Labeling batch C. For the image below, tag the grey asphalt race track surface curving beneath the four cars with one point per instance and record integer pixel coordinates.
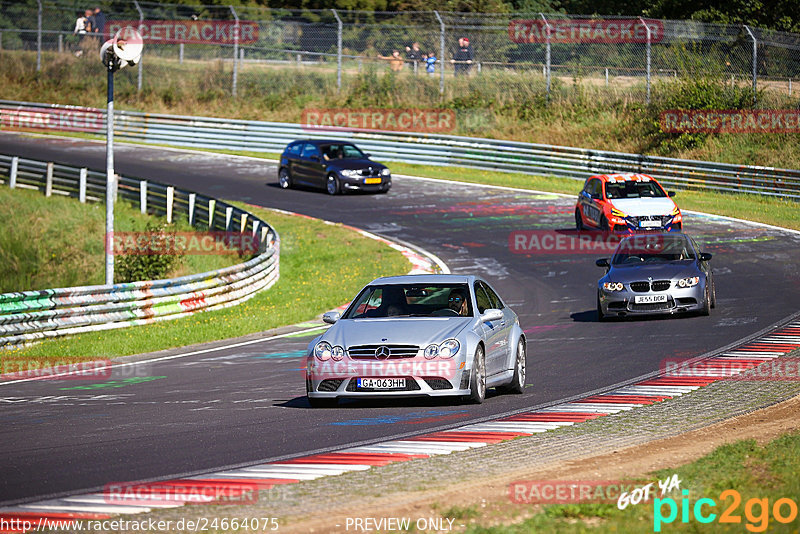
(247, 404)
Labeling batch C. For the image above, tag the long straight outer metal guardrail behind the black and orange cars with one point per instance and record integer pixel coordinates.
(428, 149)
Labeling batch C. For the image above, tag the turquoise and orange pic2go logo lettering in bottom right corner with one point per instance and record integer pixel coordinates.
(756, 511)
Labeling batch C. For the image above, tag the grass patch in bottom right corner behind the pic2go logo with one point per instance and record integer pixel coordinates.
(769, 472)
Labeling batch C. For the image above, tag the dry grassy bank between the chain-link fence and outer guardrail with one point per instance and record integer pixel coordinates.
(497, 104)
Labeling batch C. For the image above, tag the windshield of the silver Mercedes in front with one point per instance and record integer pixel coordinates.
(404, 301)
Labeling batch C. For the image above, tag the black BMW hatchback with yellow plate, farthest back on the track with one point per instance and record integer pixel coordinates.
(336, 166)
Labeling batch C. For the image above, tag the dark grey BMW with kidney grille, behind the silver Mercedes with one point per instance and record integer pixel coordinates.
(660, 273)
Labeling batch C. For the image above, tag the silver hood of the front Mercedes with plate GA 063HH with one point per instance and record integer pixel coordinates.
(389, 331)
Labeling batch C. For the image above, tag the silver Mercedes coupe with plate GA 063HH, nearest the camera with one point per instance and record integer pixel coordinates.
(418, 335)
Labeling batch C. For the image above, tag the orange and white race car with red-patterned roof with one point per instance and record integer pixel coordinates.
(626, 203)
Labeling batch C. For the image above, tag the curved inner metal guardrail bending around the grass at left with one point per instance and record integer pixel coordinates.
(32, 315)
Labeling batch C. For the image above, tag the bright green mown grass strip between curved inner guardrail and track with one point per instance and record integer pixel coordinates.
(322, 266)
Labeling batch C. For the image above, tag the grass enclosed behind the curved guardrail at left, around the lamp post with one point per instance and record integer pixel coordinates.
(59, 242)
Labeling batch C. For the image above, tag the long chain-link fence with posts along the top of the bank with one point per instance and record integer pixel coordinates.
(247, 51)
